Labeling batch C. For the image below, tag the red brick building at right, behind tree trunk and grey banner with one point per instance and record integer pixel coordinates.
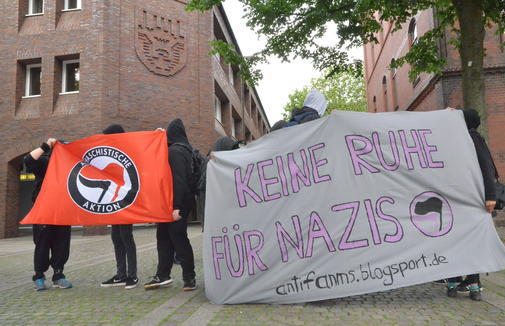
(390, 89)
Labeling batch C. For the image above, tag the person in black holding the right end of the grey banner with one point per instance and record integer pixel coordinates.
(489, 174)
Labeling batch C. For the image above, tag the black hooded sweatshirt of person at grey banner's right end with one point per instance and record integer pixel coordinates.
(484, 157)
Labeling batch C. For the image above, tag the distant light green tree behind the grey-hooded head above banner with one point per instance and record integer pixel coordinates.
(343, 90)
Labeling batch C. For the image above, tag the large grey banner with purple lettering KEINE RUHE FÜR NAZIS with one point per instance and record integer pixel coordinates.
(344, 205)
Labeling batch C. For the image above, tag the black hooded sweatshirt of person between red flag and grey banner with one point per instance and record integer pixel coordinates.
(179, 157)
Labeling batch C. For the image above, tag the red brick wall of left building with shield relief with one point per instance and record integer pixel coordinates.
(115, 86)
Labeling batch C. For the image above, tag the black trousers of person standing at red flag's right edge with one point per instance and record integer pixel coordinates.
(173, 236)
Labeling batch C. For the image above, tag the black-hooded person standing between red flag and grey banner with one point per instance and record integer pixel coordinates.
(173, 236)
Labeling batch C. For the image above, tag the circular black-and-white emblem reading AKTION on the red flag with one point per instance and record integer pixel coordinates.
(104, 182)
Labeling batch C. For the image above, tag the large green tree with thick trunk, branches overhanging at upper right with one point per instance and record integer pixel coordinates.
(292, 27)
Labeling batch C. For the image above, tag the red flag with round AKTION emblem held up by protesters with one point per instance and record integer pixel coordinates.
(106, 179)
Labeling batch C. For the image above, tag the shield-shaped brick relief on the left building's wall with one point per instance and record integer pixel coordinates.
(159, 43)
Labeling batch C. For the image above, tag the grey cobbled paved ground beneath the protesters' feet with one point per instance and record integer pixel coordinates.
(92, 261)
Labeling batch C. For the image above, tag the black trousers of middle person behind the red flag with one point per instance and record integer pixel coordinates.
(125, 250)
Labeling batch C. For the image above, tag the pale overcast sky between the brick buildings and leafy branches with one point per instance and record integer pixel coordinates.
(279, 79)
